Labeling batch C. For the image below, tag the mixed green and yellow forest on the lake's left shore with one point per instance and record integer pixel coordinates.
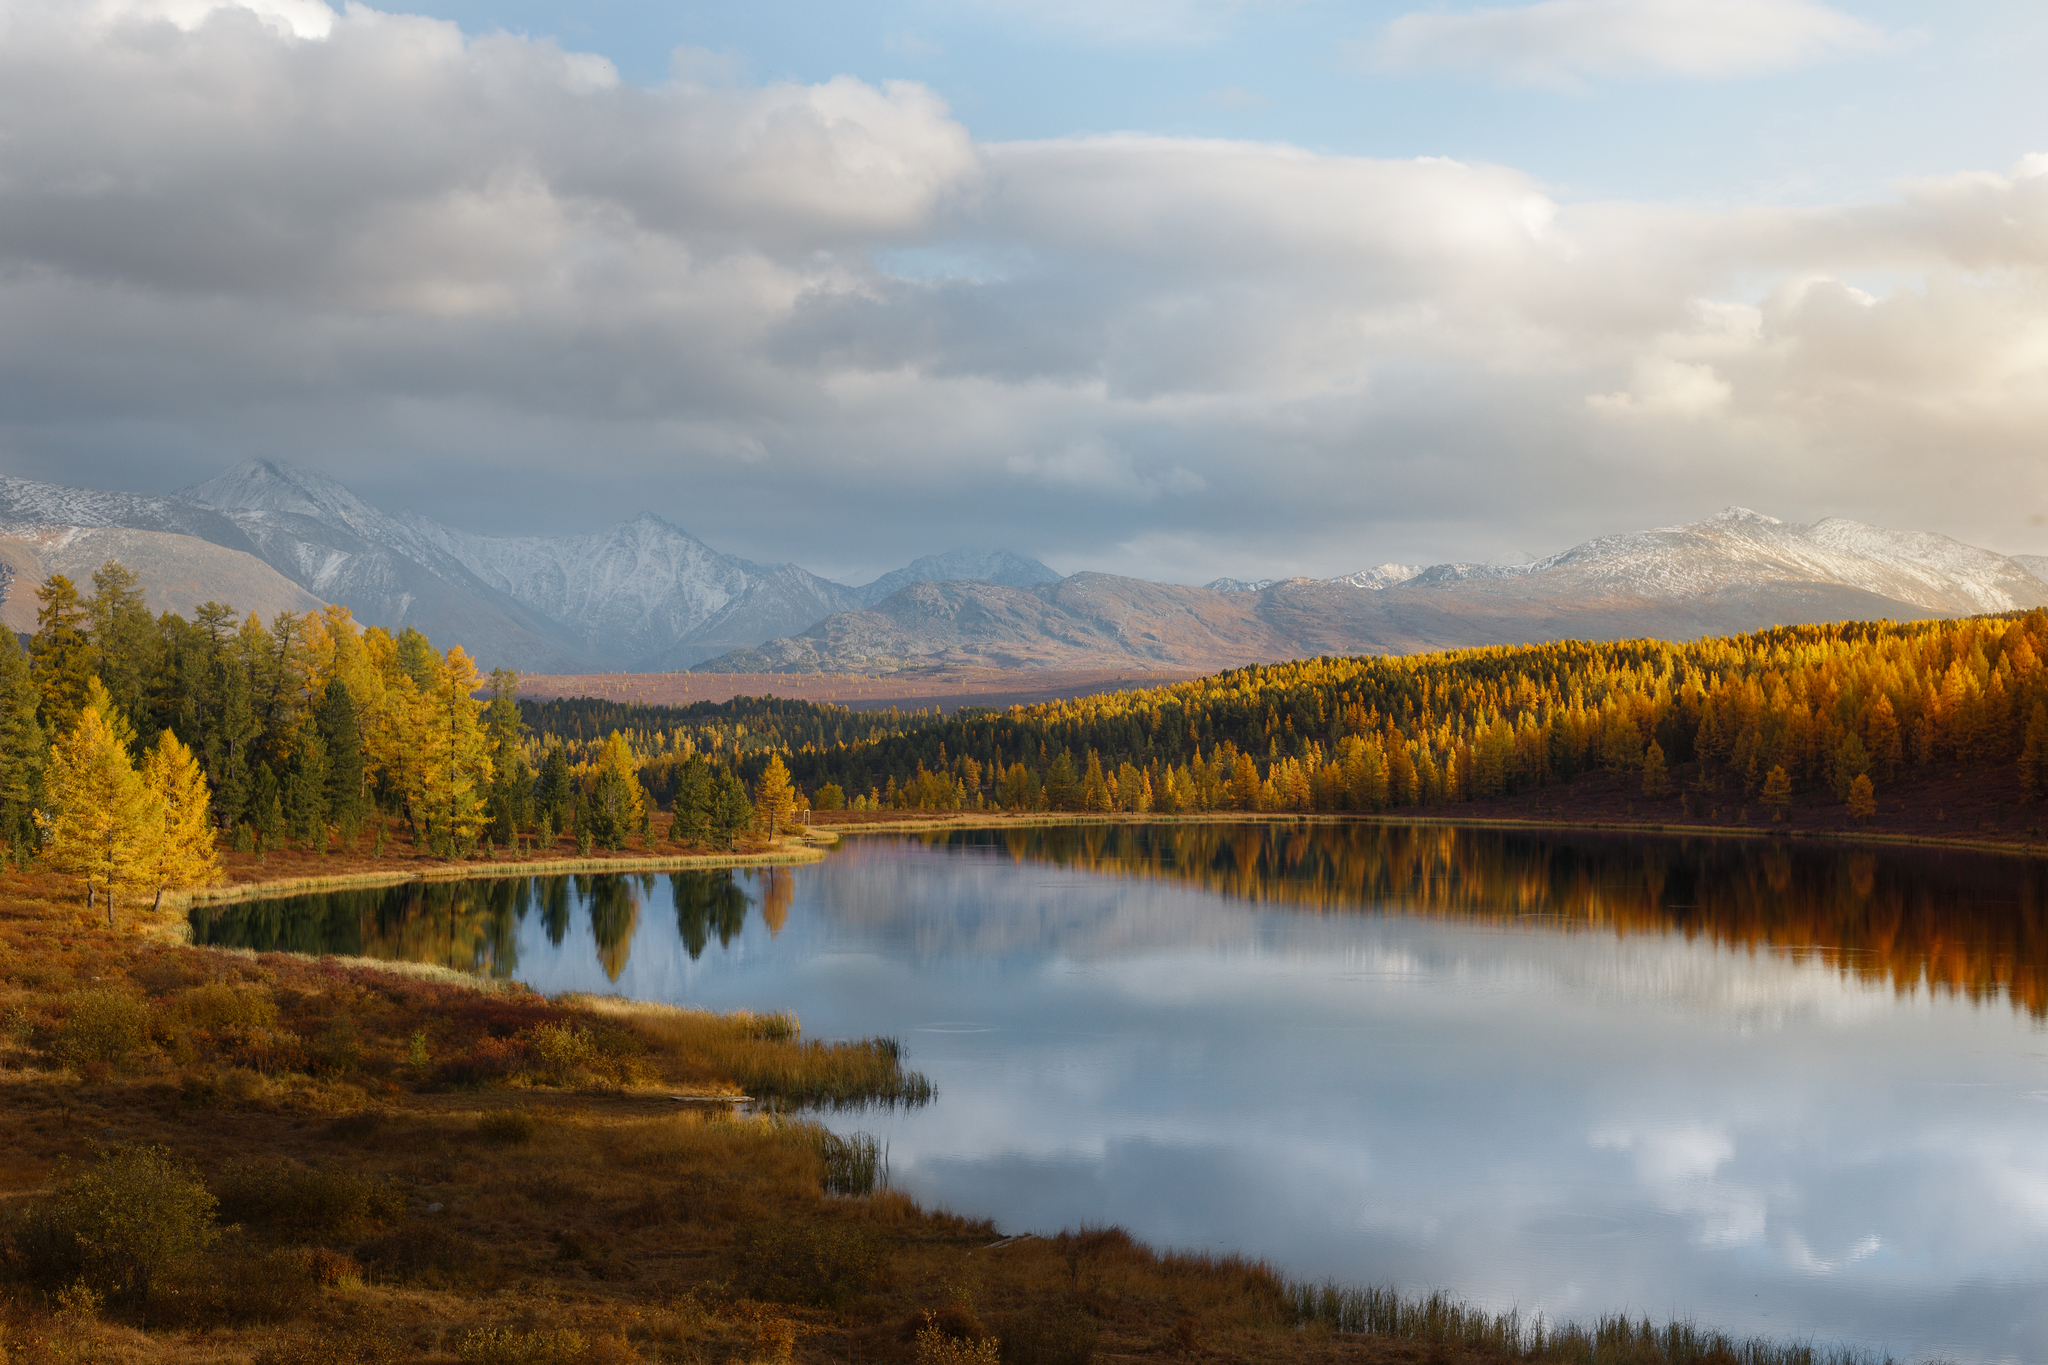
(134, 744)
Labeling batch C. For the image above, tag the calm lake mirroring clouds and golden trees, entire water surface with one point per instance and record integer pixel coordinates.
(1766, 1086)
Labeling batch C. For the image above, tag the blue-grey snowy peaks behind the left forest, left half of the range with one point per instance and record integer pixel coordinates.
(642, 597)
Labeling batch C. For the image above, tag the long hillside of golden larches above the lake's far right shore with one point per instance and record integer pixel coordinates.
(1842, 711)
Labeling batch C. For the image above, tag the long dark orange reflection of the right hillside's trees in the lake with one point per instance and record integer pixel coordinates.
(1961, 922)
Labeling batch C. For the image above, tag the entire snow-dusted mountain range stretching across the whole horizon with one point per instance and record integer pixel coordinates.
(648, 597)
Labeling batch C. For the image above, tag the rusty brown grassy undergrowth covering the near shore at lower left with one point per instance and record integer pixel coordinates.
(214, 1157)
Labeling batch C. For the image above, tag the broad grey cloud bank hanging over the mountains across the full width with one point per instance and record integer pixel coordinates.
(490, 279)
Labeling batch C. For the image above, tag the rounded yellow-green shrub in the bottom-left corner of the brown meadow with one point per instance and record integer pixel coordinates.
(132, 1217)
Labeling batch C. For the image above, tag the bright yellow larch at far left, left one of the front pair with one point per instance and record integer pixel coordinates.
(103, 824)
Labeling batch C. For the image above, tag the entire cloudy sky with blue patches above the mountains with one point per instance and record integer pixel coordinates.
(1160, 288)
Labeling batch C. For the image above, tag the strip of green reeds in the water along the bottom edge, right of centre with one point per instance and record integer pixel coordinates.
(1615, 1339)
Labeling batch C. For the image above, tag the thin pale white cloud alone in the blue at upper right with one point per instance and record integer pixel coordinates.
(1562, 44)
